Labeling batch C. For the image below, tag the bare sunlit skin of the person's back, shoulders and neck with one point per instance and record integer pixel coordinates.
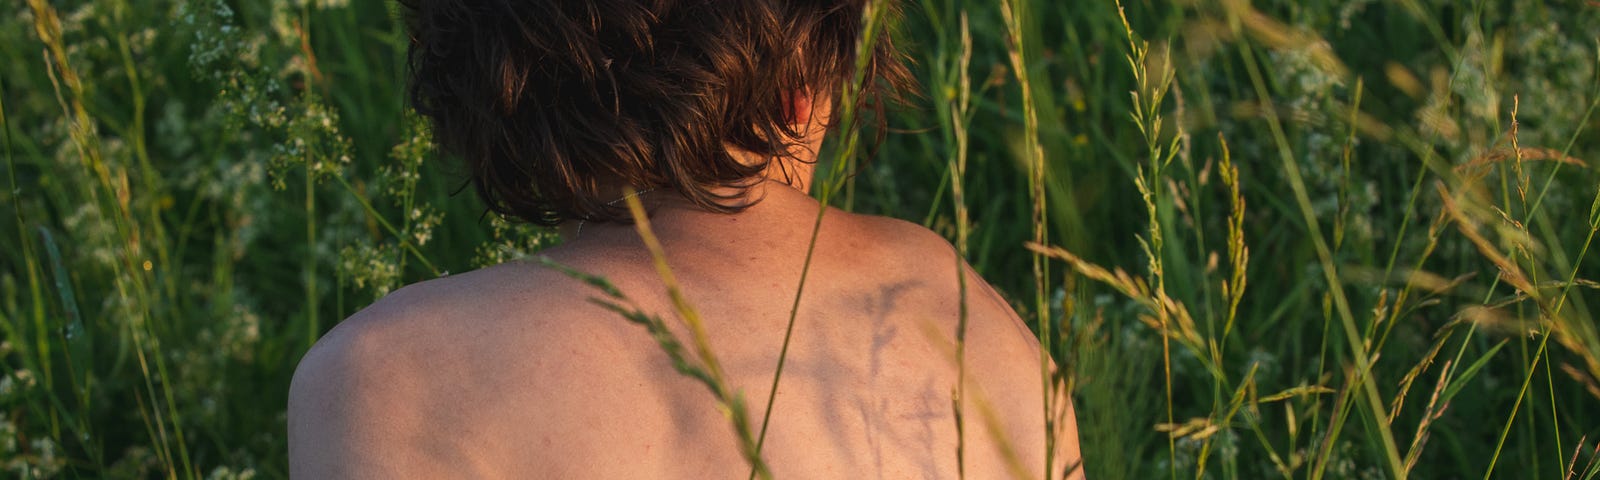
(511, 374)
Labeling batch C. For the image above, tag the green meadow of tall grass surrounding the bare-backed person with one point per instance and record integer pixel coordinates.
(1265, 239)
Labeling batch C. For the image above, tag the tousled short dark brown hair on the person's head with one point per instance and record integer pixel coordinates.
(550, 102)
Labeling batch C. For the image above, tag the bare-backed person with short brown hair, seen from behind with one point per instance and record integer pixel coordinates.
(711, 114)
